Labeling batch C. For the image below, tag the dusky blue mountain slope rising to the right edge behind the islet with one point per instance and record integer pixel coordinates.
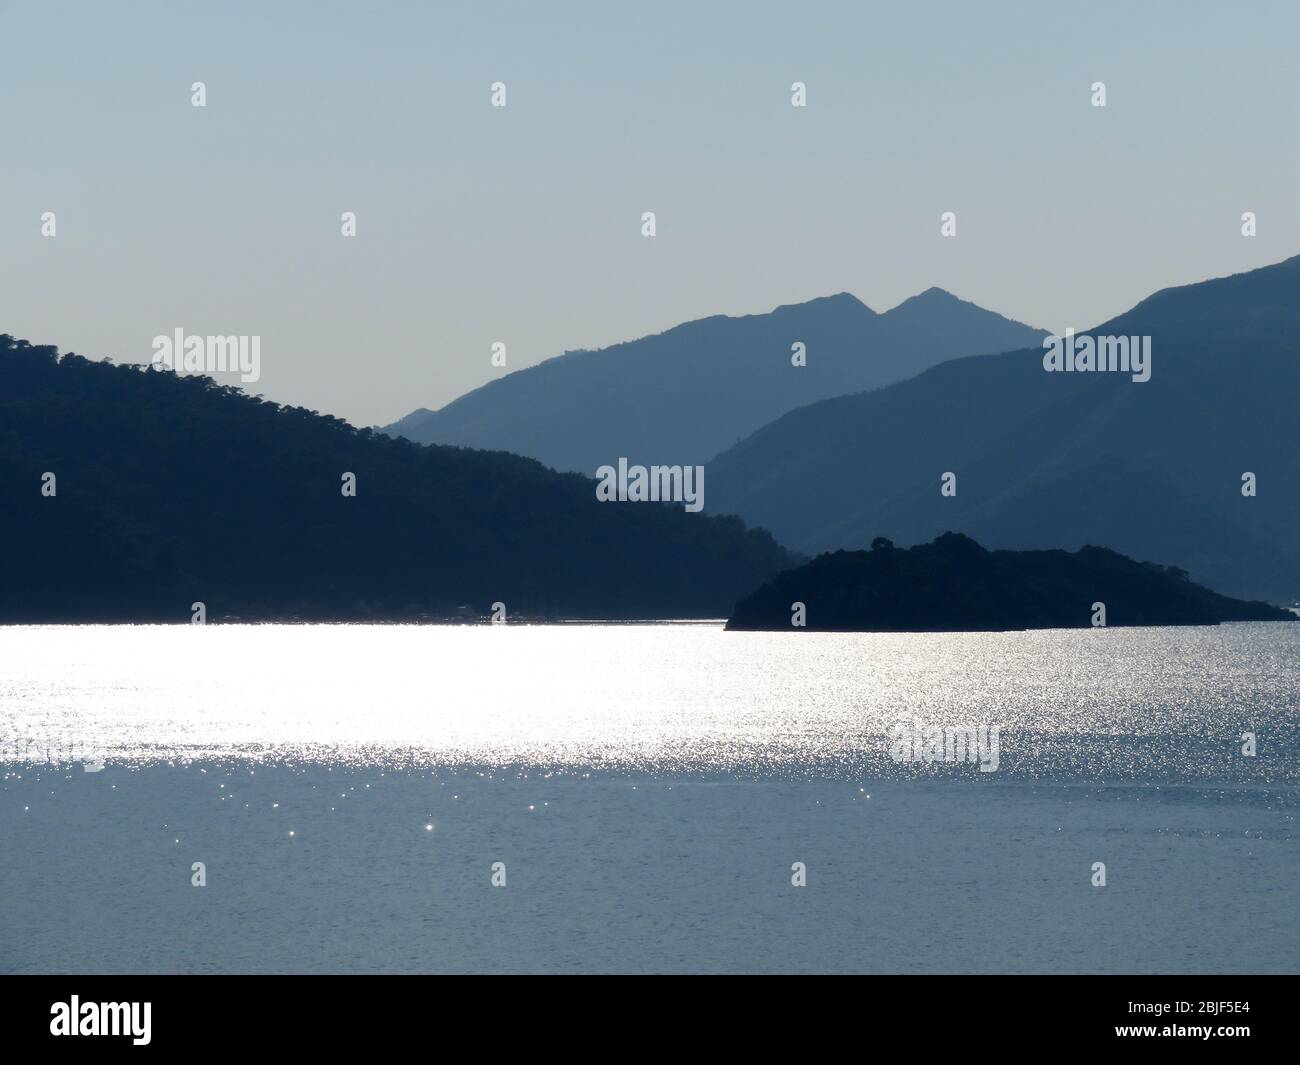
(1154, 470)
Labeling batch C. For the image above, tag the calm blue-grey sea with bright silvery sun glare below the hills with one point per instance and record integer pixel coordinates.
(648, 791)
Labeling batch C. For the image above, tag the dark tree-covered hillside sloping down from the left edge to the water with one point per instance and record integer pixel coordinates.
(171, 491)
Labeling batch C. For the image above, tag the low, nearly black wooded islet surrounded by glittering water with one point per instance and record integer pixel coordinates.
(957, 586)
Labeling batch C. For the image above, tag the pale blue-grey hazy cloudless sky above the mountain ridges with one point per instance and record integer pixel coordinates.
(480, 224)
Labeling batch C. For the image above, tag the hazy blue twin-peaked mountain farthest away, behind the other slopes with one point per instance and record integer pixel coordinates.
(683, 396)
